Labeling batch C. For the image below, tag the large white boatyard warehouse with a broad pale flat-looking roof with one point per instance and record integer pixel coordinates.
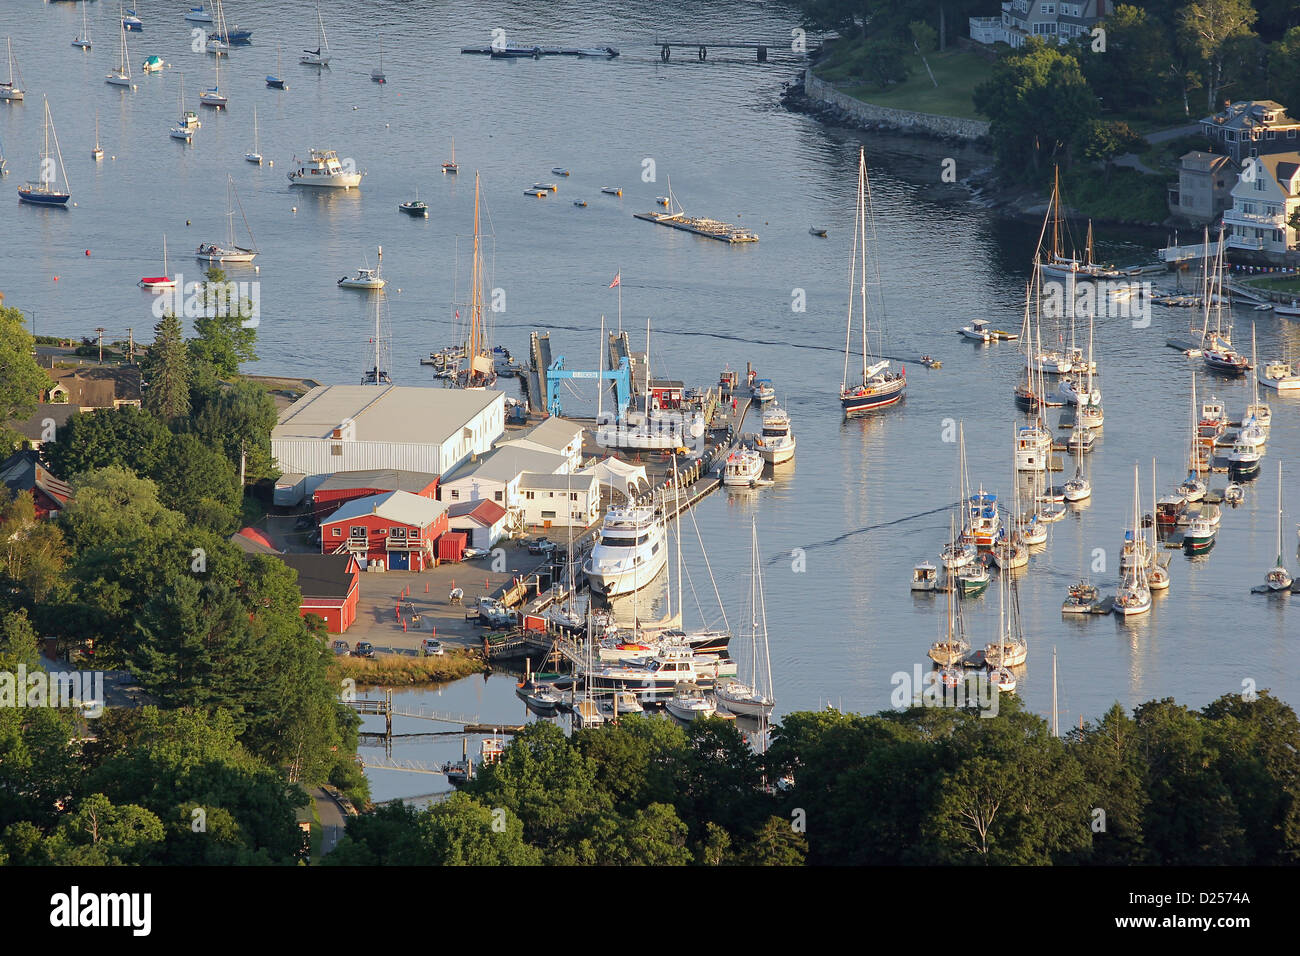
(339, 429)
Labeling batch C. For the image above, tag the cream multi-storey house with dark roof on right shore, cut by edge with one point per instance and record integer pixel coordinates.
(1266, 196)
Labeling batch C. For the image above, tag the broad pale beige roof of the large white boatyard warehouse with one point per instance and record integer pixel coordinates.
(387, 413)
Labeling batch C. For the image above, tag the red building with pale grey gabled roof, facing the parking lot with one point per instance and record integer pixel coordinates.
(395, 531)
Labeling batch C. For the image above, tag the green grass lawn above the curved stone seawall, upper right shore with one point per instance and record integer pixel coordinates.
(957, 73)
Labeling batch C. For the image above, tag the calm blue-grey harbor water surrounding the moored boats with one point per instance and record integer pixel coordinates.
(857, 499)
